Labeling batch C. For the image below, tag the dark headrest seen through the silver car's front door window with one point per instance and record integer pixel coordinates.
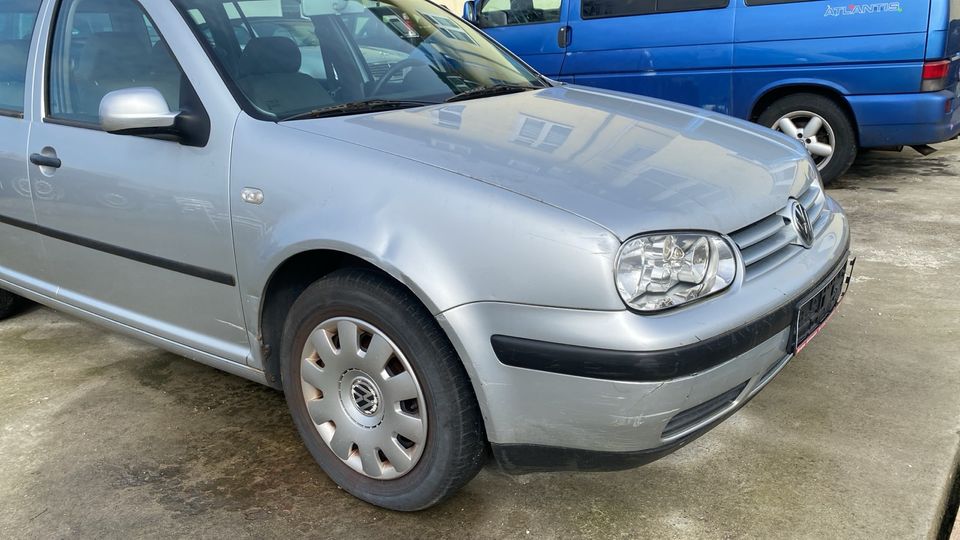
(112, 55)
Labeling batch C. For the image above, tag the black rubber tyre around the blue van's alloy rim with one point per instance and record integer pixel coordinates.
(845, 138)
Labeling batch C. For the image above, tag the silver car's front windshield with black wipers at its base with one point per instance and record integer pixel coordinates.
(293, 59)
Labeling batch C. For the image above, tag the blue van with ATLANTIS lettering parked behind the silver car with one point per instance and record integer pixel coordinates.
(837, 76)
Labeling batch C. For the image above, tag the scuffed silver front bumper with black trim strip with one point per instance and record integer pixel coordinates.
(548, 417)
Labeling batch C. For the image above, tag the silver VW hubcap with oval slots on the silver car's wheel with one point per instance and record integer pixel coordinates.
(364, 398)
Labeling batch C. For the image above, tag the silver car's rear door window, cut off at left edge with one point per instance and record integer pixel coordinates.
(17, 19)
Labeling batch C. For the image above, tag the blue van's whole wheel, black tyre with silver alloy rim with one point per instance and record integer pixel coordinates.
(821, 125)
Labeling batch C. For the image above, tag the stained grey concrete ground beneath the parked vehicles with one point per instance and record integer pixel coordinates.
(101, 436)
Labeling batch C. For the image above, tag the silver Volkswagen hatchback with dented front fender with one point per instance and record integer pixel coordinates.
(435, 260)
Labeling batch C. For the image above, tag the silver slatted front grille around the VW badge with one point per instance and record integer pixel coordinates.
(771, 241)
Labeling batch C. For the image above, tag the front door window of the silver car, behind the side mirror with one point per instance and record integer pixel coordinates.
(104, 45)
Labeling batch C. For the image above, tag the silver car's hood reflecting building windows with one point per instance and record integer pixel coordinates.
(628, 163)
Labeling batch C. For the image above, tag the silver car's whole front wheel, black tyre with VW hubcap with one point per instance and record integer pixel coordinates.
(381, 399)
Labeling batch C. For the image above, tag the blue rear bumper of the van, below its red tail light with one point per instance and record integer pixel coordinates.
(907, 119)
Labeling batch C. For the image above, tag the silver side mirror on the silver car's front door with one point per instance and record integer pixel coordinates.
(136, 110)
